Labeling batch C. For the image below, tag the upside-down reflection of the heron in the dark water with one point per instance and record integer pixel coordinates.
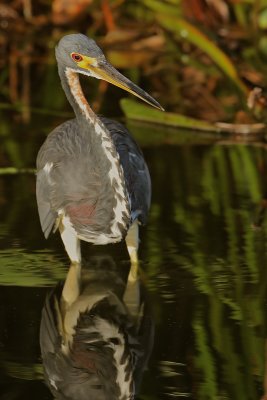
(96, 333)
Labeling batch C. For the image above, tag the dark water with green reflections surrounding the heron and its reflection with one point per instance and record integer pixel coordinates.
(202, 263)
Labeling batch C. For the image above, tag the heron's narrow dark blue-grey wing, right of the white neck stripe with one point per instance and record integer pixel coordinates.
(136, 173)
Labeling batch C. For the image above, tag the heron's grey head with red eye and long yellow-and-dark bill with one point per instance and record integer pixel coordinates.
(82, 55)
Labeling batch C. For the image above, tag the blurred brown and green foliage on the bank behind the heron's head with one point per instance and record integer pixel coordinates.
(199, 58)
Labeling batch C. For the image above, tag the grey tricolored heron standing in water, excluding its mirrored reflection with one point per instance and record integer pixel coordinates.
(92, 181)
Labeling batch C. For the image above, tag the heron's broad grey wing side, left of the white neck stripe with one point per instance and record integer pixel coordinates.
(72, 179)
